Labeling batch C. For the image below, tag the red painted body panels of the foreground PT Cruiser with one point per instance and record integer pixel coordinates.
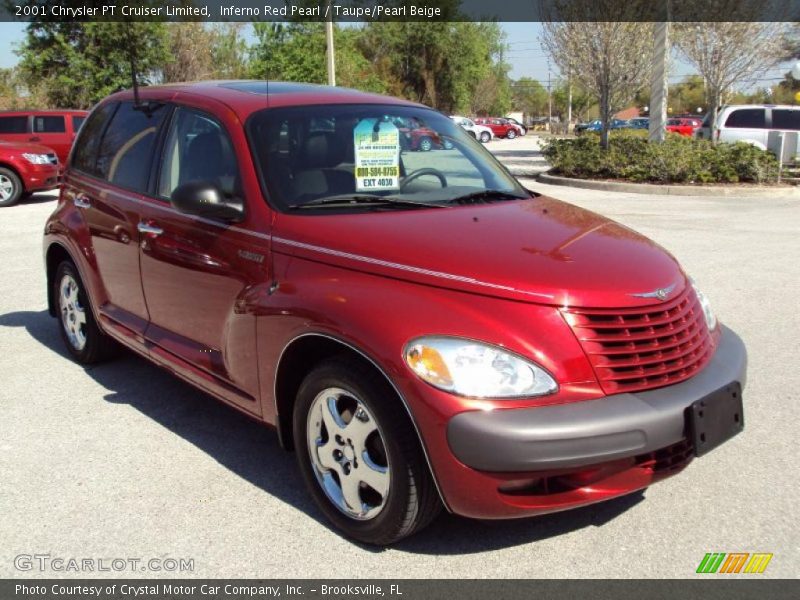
(220, 305)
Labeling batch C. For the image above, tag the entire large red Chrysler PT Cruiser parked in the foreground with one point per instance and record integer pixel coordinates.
(422, 330)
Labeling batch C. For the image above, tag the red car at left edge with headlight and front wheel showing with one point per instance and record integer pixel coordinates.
(24, 169)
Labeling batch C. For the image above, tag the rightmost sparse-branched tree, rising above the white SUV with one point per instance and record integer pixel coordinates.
(727, 54)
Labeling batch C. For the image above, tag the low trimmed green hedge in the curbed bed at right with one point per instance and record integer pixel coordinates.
(678, 160)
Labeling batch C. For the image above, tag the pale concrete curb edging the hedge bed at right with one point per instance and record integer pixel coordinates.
(671, 190)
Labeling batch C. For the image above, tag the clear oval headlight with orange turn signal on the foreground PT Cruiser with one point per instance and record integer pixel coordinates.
(474, 369)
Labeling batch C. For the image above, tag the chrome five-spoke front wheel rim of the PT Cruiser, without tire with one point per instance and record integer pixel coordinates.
(347, 454)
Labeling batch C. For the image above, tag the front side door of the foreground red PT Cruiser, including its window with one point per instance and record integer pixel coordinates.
(196, 271)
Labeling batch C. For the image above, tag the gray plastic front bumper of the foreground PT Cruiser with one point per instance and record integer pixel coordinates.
(593, 431)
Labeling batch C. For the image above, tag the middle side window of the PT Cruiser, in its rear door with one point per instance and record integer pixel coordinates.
(126, 150)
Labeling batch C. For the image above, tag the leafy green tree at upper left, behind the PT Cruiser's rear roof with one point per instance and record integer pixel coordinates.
(76, 64)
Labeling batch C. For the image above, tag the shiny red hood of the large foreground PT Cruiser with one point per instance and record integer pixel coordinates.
(540, 250)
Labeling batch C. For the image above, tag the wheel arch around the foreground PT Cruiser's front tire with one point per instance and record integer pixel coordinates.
(298, 357)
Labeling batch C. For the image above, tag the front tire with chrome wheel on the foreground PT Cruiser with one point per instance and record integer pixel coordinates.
(383, 447)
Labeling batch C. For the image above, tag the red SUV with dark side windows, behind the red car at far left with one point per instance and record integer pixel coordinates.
(55, 129)
